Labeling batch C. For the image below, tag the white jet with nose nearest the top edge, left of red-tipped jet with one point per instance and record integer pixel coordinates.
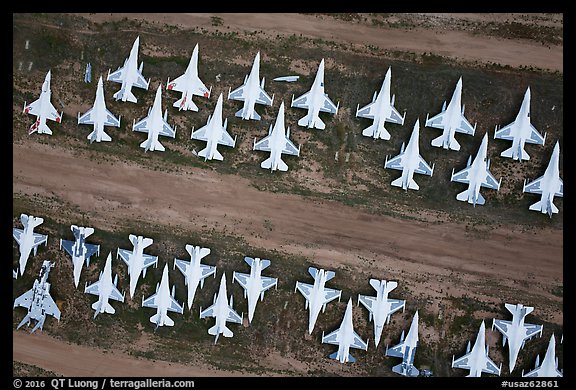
(129, 75)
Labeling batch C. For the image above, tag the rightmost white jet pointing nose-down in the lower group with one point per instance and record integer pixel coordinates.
(516, 331)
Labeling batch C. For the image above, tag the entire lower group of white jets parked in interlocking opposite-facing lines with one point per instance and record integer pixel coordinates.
(380, 307)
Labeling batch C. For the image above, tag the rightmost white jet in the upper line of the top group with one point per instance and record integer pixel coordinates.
(519, 132)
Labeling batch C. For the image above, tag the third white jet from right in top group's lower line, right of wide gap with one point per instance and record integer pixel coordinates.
(409, 161)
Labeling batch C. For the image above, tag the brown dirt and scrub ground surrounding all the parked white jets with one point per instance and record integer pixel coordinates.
(454, 263)
